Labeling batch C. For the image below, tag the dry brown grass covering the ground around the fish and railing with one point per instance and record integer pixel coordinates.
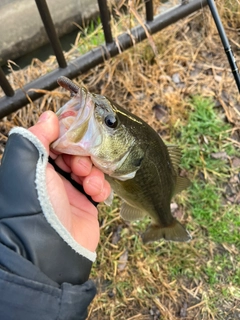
(164, 280)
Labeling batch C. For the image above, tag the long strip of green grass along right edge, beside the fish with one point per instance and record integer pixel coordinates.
(206, 134)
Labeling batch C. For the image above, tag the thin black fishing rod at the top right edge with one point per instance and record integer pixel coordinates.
(225, 42)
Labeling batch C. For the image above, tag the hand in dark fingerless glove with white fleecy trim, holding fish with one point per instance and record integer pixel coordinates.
(48, 203)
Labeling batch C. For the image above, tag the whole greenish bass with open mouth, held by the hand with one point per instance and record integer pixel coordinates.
(141, 169)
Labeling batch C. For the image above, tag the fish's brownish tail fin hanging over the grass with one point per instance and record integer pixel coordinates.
(174, 232)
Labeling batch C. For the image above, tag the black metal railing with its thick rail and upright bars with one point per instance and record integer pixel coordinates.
(14, 100)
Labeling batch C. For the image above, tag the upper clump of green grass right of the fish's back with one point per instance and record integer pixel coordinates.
(204, 135)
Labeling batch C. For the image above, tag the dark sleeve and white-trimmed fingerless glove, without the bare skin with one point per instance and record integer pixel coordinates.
(41, 275)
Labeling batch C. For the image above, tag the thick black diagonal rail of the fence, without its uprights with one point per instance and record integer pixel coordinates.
(96, 56)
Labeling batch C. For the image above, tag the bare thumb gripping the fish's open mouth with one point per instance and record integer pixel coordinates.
(46, 129)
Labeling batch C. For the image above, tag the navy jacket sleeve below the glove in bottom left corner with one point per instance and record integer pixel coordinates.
(28, 294)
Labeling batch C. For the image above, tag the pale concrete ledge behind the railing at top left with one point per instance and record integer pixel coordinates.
(22, 30)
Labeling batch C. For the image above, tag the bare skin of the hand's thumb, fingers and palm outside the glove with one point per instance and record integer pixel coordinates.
(76, 213)
